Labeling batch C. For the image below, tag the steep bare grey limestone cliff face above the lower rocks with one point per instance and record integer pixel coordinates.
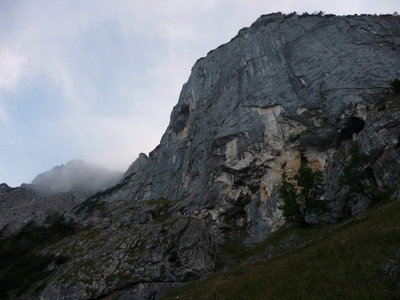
(282, 88)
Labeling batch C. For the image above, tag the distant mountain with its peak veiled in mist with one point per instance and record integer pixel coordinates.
(55, 191)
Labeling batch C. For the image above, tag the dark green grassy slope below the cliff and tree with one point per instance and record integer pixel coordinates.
(344, 261)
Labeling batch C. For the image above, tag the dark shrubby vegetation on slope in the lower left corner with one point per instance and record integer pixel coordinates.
(21, 263)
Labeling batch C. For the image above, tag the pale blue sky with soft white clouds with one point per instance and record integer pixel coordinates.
(97, 79)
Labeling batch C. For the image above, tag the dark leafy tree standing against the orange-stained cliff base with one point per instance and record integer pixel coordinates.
(301, 194)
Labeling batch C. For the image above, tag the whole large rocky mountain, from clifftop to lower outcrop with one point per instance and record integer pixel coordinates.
(285, 90)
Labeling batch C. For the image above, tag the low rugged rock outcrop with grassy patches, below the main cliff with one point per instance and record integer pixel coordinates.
(149, 251)
